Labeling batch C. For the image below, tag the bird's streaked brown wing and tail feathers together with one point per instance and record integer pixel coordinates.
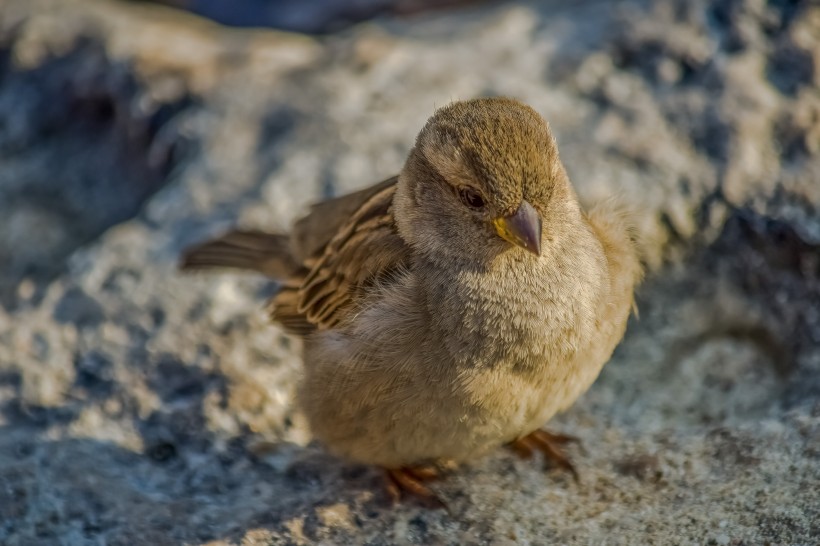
(333, 253)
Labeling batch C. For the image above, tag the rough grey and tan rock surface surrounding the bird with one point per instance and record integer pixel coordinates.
(140, 406)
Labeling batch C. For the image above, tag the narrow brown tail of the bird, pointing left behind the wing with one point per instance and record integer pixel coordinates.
(267, 253)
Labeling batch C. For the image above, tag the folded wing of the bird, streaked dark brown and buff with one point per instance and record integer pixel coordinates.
(364, 249)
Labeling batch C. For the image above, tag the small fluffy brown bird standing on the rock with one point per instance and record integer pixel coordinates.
(454, 308)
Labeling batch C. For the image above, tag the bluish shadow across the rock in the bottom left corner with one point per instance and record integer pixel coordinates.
(104, 492)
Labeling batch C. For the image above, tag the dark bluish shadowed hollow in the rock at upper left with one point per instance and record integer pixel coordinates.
(83, 145)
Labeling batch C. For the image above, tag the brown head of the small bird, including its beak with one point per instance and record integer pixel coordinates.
(483, 178)
